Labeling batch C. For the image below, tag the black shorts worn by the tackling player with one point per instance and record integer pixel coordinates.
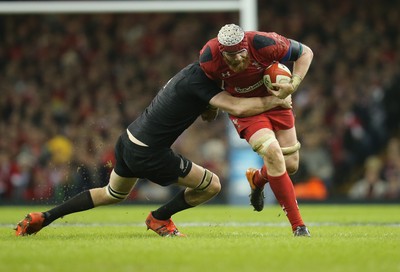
(159, 165)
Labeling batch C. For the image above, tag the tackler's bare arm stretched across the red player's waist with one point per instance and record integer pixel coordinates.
(243, 107)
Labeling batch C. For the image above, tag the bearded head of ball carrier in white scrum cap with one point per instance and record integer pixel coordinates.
(233, 46)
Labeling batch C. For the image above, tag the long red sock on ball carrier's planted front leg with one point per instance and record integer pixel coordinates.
(283, 189)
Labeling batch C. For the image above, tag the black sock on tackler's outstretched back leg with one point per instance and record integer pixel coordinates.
(81, 202)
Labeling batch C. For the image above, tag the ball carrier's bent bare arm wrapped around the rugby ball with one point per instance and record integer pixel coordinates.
(301, 55)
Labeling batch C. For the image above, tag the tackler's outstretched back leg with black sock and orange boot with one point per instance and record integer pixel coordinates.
(117, 190)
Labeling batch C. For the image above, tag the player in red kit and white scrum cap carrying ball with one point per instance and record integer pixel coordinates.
(236, 60)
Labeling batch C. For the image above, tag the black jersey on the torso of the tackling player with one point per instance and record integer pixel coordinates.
(176, 106)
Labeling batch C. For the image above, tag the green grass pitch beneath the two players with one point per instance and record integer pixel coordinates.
(220, 238)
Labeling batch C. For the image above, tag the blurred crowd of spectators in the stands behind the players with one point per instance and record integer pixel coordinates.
(71, 83)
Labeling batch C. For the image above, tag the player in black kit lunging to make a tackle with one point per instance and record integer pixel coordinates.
(144, 151)
